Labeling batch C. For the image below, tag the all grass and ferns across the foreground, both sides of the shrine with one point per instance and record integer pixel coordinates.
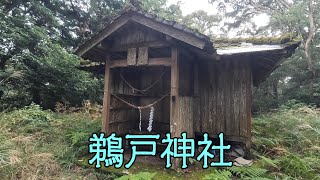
(37, 144)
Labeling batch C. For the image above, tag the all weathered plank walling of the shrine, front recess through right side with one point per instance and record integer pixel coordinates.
(213, 96)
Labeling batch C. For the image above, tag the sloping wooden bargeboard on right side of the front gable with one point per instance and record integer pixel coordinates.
(170, 31)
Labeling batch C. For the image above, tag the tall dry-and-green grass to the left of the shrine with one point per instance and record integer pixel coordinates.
(37, 144)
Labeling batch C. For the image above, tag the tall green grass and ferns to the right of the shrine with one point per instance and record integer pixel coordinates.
(290, 141)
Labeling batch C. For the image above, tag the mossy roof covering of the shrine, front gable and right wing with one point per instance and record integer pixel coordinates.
(223, 46)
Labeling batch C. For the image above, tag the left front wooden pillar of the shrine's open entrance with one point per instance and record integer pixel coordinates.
(106, 98)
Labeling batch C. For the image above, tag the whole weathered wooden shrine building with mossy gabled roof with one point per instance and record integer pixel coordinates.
(162, 77)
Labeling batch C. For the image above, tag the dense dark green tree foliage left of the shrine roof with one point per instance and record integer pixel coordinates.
(37, 40)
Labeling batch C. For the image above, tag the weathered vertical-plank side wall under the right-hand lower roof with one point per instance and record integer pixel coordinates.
(225, 95)
